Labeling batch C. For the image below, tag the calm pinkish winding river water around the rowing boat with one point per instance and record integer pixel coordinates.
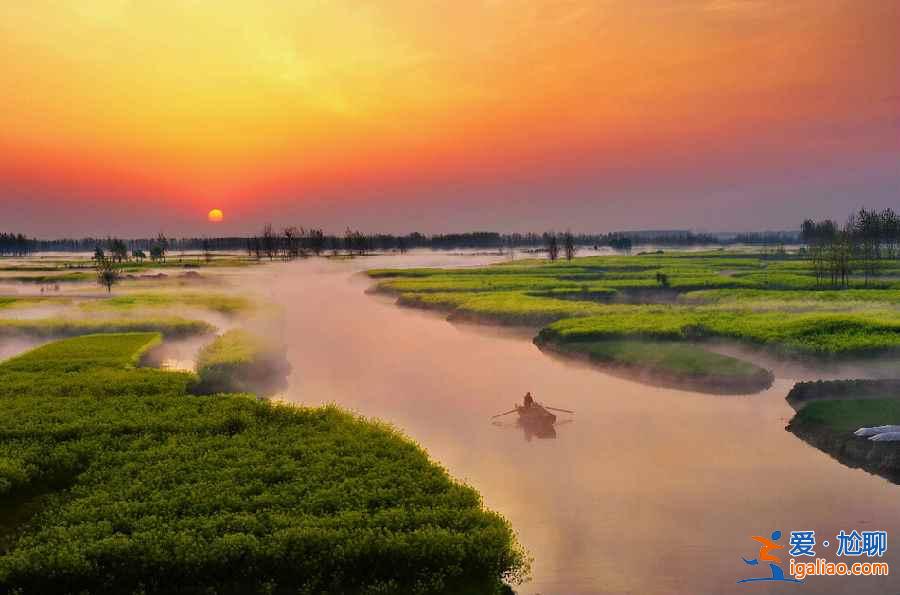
(649, 490)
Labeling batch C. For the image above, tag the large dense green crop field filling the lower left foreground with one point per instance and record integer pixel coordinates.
(115, 479)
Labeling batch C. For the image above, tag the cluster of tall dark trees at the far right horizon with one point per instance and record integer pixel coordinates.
(863, 242)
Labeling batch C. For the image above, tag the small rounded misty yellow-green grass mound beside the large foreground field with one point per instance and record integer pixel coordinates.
(239, 361)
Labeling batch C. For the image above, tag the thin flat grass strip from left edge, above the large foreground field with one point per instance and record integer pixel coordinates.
(63, 327)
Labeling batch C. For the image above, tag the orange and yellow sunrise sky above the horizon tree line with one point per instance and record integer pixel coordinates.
(130, 117)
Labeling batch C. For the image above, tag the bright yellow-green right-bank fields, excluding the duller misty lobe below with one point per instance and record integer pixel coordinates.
(742, 296)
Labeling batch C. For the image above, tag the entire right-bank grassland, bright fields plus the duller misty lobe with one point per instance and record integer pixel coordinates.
(648, 315)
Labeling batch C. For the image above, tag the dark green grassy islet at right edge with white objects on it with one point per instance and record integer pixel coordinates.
(829, 425)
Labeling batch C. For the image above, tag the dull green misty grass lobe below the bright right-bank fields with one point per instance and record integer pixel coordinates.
(677, 364)
